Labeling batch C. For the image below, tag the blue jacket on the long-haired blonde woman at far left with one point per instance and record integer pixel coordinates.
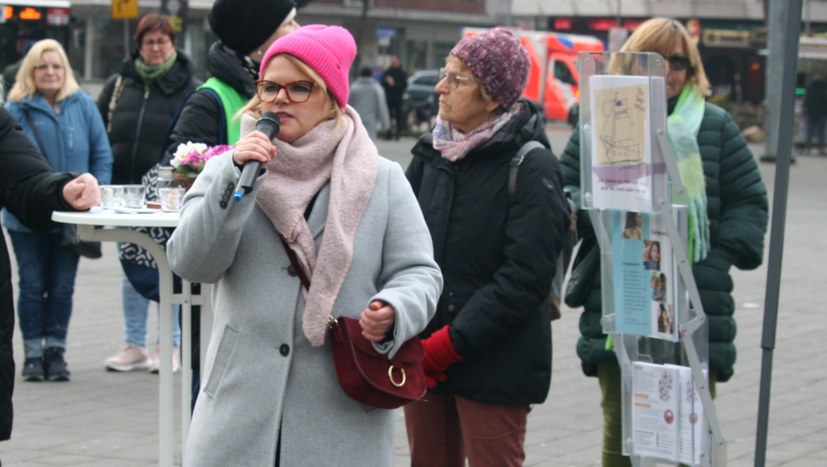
(75, 140)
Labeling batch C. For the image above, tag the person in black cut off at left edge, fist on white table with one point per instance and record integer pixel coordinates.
(30, 190)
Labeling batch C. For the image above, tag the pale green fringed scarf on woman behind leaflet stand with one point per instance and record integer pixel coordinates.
(682, 128)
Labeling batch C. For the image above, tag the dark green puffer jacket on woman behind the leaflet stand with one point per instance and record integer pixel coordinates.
(737, 209)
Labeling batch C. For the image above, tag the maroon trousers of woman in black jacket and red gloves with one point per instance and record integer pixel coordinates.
(445, 430)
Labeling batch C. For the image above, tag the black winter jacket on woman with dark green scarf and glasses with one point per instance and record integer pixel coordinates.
(142, 115)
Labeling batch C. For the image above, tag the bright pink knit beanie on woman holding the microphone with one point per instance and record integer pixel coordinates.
(328, 50)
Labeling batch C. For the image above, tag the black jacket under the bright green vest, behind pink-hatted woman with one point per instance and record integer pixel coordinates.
(200, 119)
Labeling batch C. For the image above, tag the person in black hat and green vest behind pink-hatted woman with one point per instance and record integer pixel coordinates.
(245, 29)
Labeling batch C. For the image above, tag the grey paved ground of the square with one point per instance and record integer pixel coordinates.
(111, 419)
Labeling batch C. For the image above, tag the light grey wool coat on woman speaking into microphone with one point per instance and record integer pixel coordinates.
(262, 379)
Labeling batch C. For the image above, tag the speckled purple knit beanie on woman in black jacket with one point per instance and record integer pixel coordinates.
(498, 61)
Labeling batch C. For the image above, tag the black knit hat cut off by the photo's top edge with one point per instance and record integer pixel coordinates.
(243, 25)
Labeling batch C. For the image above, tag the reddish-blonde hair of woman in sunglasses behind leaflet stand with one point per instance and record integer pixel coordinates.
(664, 35)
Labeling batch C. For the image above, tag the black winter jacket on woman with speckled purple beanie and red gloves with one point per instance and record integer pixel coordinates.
(497, 256)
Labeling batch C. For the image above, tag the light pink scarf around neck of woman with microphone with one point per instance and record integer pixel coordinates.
(341, 152)
